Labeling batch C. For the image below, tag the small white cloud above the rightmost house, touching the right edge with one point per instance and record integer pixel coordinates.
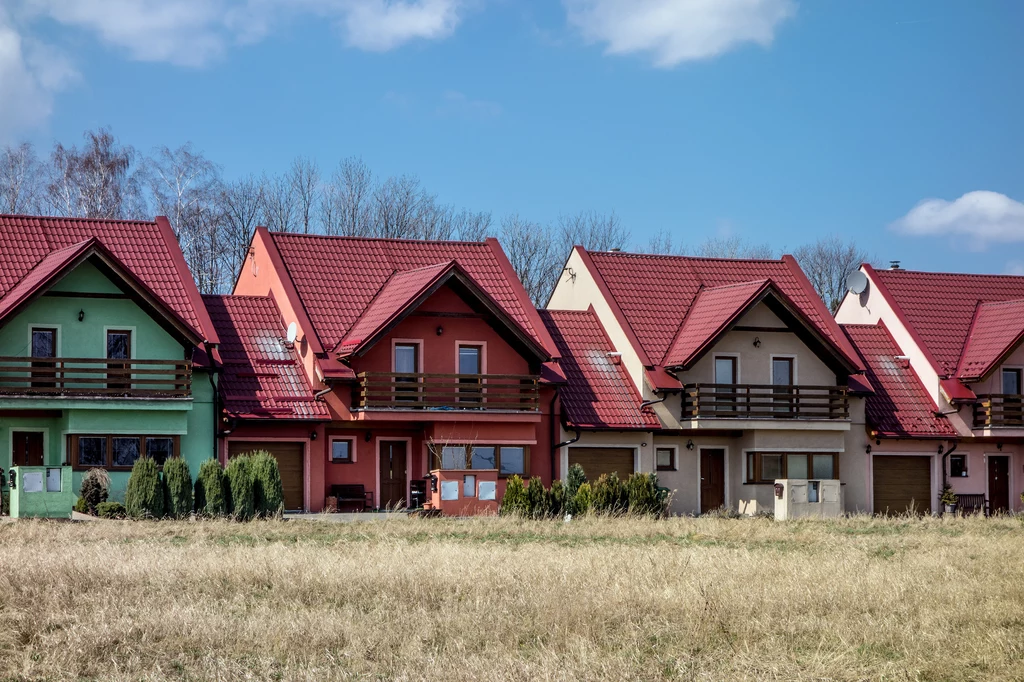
(986, 218)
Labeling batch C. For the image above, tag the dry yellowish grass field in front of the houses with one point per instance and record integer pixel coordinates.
(484, 600)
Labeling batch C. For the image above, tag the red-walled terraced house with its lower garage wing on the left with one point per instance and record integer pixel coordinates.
(414, 371)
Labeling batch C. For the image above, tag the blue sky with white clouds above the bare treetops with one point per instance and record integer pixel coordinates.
(778, 121)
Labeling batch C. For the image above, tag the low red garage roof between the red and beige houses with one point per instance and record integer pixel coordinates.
(599, 394)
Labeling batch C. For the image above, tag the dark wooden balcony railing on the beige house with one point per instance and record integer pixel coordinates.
(764, 402)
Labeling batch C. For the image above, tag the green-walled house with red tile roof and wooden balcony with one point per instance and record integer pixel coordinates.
(107, 352)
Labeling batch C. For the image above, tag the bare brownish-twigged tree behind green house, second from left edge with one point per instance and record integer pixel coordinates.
(94, 183)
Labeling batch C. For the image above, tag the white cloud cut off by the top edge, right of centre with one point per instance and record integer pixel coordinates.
(676, 31)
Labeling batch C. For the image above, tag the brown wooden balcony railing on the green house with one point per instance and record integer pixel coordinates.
(94, 377)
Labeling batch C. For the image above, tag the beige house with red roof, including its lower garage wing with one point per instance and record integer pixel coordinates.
(746, 374)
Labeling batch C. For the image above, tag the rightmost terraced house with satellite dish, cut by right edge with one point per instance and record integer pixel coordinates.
(946, 363)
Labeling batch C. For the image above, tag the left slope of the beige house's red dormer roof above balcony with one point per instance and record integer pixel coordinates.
(712, 313)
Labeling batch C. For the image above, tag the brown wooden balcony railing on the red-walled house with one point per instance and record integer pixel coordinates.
(508, 393)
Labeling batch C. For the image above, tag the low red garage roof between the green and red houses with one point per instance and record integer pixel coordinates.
(263, 377)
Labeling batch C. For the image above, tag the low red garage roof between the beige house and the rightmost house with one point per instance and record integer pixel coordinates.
(901, 407)
